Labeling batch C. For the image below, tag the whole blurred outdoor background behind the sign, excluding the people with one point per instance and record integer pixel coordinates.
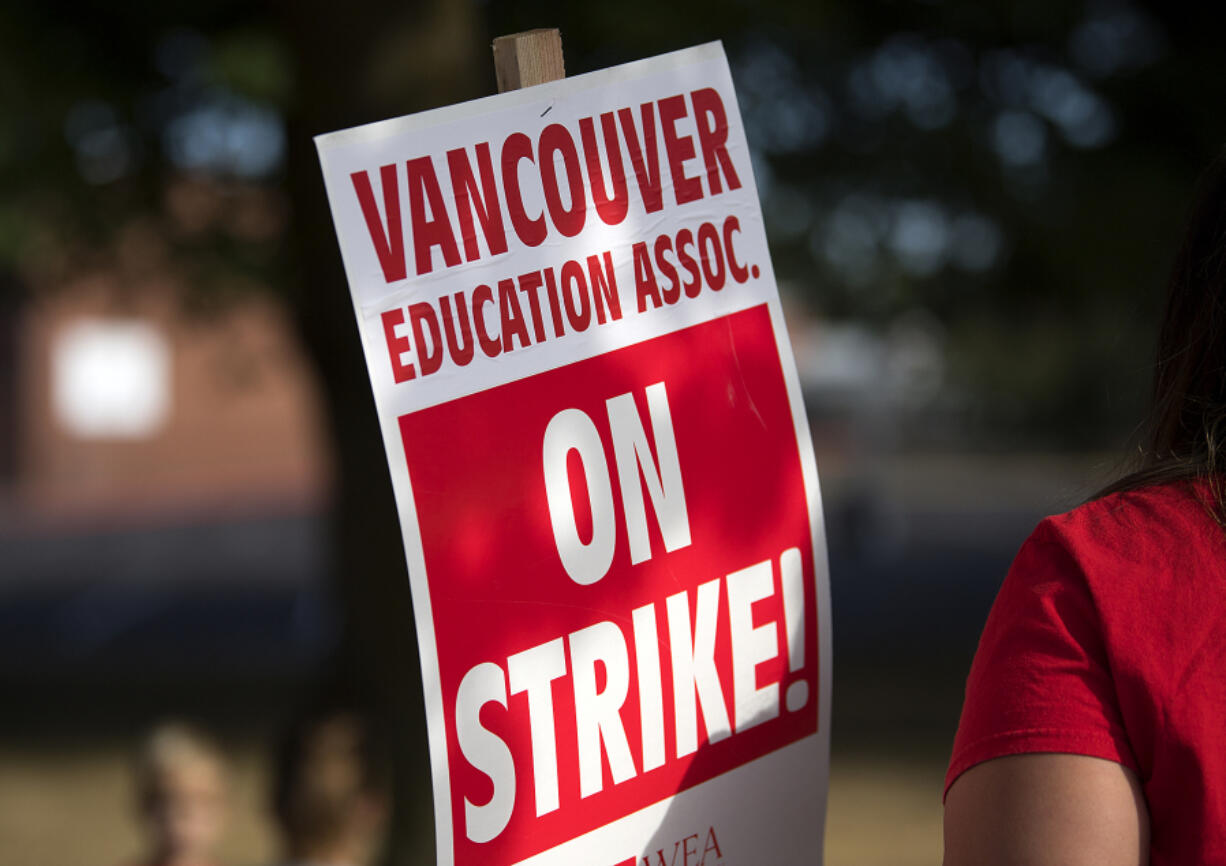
(972, 209)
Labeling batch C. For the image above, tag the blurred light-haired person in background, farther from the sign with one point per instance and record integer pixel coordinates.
(181, 797)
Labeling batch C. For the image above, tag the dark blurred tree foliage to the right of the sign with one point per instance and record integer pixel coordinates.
(1011, 175)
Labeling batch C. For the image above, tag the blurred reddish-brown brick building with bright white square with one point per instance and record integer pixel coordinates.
(129, 407)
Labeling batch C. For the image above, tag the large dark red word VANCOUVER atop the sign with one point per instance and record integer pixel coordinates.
(487, 188)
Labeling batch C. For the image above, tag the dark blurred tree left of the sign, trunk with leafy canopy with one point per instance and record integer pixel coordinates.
(189, 129)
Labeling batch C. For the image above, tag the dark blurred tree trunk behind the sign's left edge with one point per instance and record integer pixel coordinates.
(352, 64)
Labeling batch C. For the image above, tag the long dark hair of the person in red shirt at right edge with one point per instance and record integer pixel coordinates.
(1185, 435)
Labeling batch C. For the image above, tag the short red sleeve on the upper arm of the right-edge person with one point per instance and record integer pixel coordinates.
(1041, 681)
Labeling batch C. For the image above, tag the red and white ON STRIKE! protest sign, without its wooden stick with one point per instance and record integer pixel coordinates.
(604, 470)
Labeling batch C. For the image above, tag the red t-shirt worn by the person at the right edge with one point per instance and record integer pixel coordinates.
(1109, 640)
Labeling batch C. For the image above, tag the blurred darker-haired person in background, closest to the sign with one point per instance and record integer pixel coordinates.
(330, 789)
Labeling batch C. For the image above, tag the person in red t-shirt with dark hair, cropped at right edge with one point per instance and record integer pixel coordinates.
(1094, 729)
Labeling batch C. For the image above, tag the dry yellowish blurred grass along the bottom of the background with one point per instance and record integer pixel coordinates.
(69, 807)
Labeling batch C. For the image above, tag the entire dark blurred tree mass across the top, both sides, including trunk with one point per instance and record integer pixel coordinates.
(1012, 175)
